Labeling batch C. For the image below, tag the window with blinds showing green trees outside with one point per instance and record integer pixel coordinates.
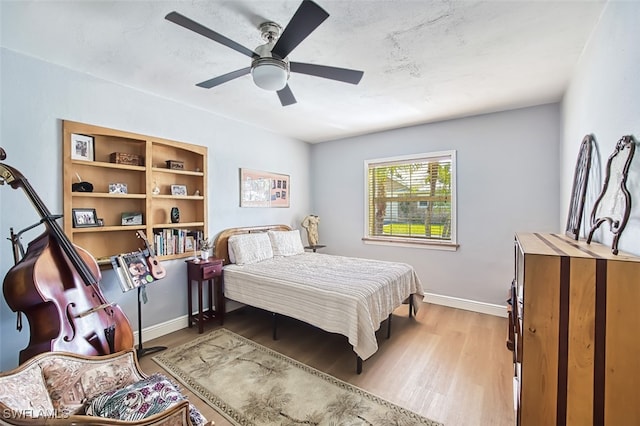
(411, 200)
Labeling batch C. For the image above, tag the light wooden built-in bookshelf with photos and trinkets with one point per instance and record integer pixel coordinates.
(113, 237)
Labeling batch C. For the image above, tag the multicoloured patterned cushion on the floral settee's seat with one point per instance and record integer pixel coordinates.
(140, 400)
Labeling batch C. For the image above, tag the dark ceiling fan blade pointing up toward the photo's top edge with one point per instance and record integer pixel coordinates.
(306, 19)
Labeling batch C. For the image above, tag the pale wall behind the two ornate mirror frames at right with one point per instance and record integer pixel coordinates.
(604, 100)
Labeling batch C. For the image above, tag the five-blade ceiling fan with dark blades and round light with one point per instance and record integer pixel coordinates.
(270, 65)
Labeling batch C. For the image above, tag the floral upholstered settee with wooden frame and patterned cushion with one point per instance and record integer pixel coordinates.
(61, 388)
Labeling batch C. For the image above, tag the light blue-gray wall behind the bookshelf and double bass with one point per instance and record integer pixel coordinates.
(36, 96)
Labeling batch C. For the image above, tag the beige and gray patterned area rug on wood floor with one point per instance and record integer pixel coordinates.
(250, 384)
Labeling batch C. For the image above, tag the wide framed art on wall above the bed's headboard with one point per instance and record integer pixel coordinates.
(264, 189)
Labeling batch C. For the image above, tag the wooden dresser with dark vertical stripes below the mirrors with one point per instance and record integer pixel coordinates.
(576, 333)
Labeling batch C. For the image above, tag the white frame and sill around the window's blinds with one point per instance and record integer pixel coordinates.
(451, 245)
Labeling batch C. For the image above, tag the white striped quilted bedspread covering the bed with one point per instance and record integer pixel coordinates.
(345, 295)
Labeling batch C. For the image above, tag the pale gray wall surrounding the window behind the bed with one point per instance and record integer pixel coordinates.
(507, 174)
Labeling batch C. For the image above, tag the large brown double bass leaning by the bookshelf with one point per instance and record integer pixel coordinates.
(56, 285)
